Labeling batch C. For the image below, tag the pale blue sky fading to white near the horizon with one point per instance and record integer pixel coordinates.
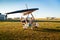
(47, 8)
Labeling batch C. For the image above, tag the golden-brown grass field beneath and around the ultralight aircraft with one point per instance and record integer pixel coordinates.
(14, 31)
